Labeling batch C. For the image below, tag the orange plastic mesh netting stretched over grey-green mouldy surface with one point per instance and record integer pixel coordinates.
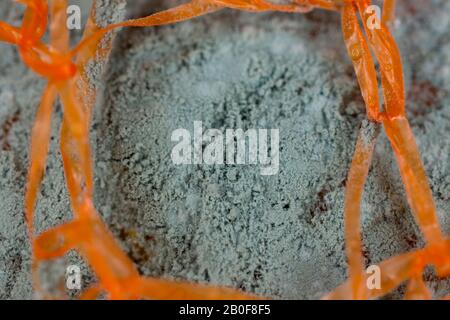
(65, 71)
